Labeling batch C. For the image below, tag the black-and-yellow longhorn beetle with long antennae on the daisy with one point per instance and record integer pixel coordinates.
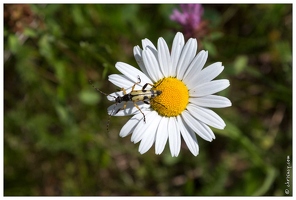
(134, 96)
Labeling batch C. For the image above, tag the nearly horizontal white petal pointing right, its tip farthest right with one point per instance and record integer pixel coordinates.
(211, 101)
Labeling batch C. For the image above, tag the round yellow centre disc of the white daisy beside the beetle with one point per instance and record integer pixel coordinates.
(173, 99)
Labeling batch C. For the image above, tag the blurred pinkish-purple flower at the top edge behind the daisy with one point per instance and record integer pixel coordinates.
(190, 16)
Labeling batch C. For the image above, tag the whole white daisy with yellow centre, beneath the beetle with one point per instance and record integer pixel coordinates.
(187, 93)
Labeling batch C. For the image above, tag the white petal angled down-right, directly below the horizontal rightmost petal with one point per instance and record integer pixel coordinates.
(207, 116)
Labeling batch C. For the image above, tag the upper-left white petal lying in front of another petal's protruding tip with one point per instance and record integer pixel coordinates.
(152, 66)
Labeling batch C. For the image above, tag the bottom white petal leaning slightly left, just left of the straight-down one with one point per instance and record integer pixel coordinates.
(161, 135)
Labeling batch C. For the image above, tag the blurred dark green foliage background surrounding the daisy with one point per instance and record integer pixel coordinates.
(55, 137)
